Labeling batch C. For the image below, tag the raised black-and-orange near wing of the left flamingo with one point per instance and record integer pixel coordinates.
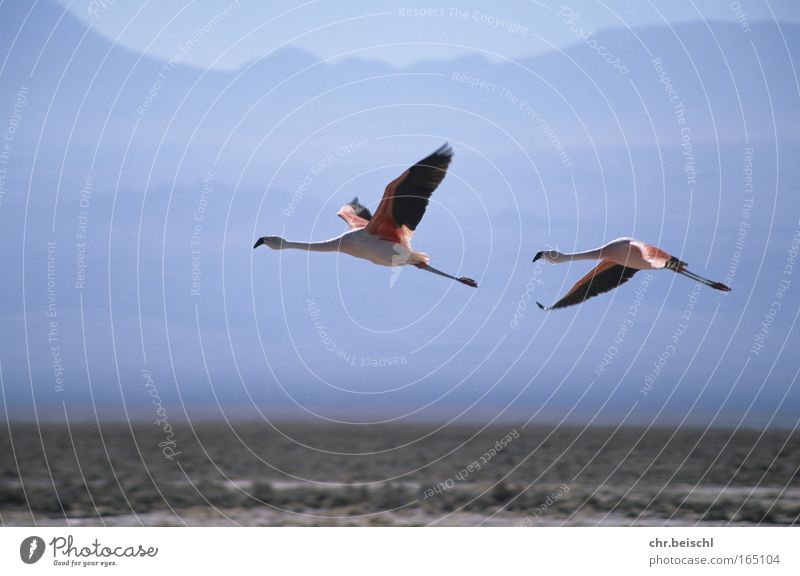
(406, 197)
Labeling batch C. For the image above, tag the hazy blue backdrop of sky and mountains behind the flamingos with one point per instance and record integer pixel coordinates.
(145, 153)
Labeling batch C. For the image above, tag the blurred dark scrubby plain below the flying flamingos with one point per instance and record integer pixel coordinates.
(297, 474)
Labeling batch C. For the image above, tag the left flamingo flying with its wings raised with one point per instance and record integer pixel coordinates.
(385, 238)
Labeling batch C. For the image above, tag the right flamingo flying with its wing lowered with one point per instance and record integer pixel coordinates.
(620, 259)
